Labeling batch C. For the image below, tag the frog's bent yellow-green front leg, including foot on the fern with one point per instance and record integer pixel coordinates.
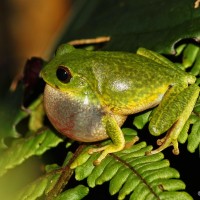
(116, 135)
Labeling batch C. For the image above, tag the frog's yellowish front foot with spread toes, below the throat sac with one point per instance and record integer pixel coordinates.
(105, 151)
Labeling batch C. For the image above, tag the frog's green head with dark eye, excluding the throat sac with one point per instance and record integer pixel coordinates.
(65, 71)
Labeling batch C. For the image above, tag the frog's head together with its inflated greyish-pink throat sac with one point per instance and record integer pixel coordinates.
(69, 96)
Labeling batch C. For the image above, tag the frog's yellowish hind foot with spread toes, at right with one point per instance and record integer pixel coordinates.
(165, 142)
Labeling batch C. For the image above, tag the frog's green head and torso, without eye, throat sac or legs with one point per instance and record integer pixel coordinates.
(143, 81)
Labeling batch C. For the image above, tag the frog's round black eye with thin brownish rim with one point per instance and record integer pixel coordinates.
(63, 74)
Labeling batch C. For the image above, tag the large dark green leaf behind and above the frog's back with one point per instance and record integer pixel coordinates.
(132, 24)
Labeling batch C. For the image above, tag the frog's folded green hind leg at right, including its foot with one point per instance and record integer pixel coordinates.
(172, 114)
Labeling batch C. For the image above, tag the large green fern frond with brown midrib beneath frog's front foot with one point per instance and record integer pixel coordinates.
(131, 172)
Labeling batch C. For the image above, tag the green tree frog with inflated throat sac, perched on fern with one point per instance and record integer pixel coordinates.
(89, 95)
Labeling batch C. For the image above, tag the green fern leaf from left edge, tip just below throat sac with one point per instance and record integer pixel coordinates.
(23, 148)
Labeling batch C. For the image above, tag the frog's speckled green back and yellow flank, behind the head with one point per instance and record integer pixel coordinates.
(131, 81)
